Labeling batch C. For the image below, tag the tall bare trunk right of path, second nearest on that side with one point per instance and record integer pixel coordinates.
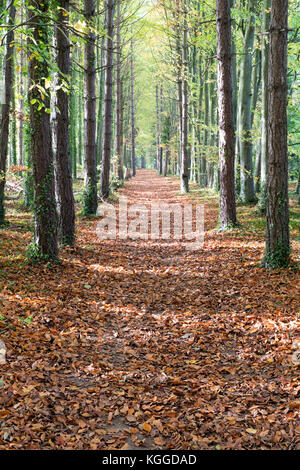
(226, 118)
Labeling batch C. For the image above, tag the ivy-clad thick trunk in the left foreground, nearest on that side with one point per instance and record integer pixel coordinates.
(42, 156)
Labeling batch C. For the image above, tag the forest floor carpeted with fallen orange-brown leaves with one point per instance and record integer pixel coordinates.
(136, 344)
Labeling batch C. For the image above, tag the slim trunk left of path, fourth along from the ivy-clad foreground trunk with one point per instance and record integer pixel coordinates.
(107, 142)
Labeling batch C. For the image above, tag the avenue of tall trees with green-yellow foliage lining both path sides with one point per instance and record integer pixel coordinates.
(95, 89)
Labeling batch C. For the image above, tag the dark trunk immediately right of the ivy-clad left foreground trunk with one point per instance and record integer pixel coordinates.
(64, 184)
